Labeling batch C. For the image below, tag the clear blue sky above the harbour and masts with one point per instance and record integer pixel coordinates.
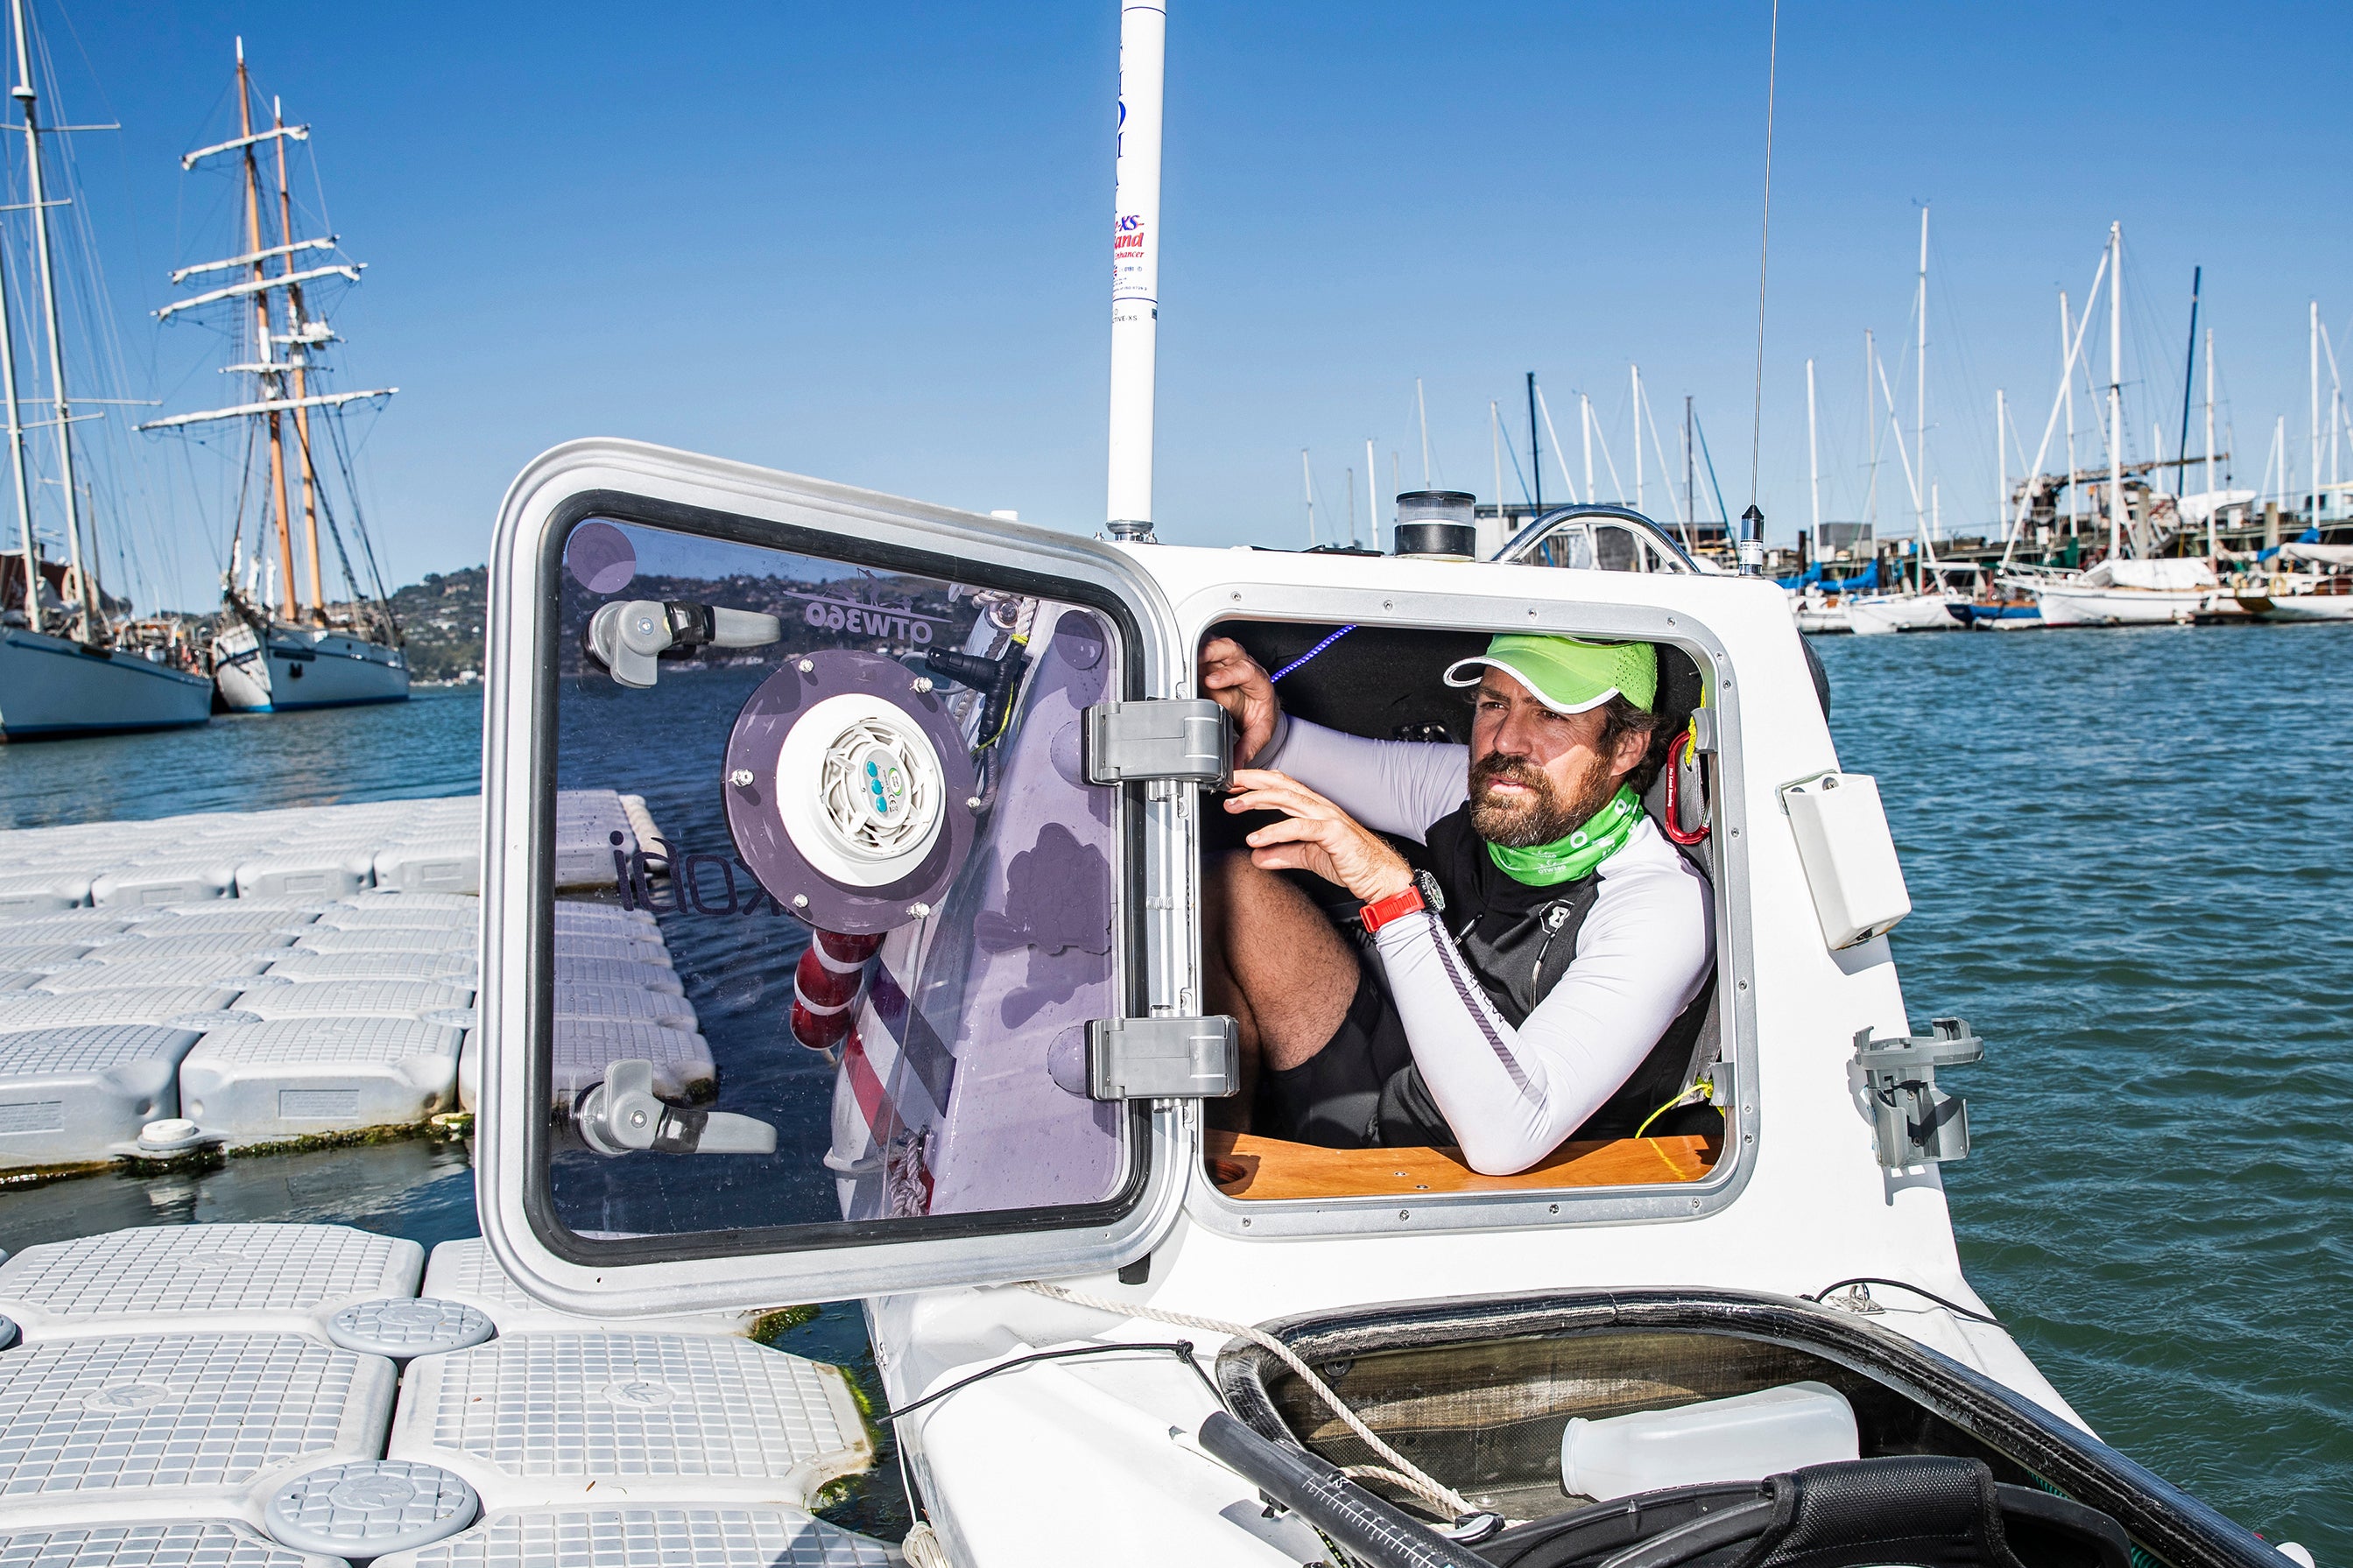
(869, 243)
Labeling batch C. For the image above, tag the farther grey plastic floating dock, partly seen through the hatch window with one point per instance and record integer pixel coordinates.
(293, 974)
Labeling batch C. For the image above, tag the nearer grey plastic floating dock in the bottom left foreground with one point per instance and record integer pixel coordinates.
(189, 1398)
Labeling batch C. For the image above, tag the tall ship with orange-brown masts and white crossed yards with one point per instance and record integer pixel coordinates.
(288, 650)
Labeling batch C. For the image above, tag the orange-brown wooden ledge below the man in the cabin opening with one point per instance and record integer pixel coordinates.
(1272, 1170)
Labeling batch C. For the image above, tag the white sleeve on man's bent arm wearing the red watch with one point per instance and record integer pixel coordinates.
(1514, 1094)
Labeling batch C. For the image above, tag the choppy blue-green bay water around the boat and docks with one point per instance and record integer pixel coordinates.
(2128, 864)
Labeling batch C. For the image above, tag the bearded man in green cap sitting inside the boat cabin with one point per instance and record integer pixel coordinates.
(1547, 977)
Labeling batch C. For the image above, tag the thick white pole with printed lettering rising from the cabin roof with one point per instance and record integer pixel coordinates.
(1135, 272)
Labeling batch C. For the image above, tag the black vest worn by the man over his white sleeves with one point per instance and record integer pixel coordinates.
(1521, 939)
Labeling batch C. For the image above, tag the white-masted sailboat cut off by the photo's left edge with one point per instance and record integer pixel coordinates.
(72, 659)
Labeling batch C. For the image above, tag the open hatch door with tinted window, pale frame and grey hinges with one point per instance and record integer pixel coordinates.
(731, 709)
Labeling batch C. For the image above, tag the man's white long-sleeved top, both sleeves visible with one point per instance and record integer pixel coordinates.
(1644, 956)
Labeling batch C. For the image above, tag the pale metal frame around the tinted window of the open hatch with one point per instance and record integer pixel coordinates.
(827, 1261)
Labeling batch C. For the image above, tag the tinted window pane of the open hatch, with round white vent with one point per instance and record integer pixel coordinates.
(829, 876)
